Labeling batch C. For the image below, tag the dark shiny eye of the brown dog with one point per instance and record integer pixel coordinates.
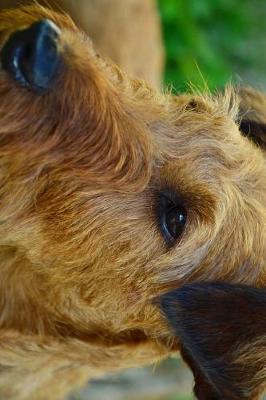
(172, 217)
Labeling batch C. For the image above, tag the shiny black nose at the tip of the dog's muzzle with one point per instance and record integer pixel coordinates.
(31, 55)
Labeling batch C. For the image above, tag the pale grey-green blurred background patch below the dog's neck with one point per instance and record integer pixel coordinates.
(170, 380)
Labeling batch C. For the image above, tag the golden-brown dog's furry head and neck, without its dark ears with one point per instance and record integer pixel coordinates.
(111, 195)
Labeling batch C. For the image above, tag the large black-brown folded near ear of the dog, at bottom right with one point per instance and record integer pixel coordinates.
(222, 330)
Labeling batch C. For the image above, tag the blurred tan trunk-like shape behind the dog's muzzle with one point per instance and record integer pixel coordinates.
(127, 31)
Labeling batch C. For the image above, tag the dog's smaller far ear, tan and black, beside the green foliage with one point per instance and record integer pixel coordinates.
(252, 115)
